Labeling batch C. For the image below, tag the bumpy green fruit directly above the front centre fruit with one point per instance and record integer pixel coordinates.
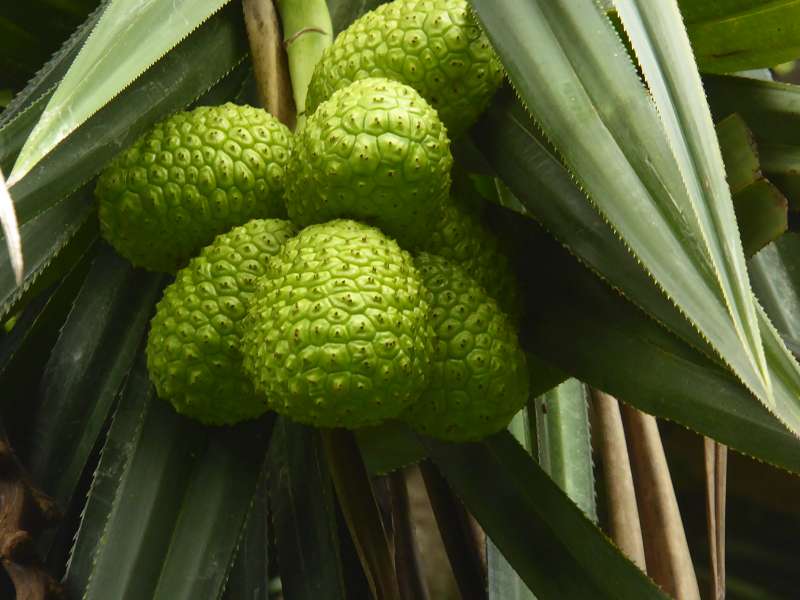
(376, 152)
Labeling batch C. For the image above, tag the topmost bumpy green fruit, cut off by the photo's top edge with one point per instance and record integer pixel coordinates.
(433, 45)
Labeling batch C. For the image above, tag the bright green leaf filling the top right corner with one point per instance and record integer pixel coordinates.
(735, 35)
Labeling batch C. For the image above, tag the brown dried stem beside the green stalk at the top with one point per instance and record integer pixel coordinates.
(270, 65)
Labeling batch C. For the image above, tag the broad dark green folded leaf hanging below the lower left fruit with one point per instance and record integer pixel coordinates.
(178, 507)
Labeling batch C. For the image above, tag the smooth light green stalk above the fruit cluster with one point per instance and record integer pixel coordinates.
(307, 32)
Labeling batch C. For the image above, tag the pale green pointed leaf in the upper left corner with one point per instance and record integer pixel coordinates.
(130, 36)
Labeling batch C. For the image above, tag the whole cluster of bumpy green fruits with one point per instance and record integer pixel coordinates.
(336, 325)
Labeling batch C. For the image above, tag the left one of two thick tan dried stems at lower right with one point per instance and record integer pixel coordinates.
(625, 528)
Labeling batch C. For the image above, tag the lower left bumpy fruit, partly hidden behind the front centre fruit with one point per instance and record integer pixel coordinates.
(193, 349)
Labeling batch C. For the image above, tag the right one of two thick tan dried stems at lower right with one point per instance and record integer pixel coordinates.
(666, 549)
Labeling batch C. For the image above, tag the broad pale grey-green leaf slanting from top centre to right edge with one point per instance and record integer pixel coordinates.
(576, 78)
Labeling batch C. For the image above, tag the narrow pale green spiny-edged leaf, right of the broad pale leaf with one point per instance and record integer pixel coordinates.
(662, 47)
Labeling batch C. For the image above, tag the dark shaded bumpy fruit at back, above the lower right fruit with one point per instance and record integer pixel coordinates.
(461, 237)
